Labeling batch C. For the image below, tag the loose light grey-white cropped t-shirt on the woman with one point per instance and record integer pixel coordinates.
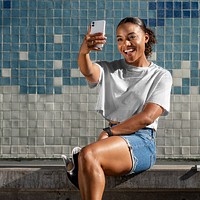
(125, 89)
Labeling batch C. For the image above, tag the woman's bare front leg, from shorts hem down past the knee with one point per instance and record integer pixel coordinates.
(110, 156)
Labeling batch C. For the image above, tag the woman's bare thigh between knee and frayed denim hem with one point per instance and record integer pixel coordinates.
(112, 154)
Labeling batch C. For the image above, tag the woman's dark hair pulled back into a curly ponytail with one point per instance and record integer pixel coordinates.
(140, 22)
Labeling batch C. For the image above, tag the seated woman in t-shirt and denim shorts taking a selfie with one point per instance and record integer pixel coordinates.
(133, 94)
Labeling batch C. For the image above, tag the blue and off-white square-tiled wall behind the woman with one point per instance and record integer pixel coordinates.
(46, 107)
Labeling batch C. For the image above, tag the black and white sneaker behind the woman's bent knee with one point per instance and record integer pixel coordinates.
(71, 165)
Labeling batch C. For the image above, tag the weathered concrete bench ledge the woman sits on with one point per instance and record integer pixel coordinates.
(43, 181)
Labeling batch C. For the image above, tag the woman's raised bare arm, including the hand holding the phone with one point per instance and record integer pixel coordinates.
(90, 70)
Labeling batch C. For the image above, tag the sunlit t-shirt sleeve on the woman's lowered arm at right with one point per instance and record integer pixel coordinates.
(162, 92)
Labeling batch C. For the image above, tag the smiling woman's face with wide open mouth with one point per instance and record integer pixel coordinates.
(131, 41)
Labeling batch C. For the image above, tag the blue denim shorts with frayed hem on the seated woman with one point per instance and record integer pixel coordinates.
(142, 149)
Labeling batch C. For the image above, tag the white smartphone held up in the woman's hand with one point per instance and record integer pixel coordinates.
(98, 26)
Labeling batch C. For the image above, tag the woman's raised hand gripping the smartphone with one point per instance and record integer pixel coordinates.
(90, 41)
